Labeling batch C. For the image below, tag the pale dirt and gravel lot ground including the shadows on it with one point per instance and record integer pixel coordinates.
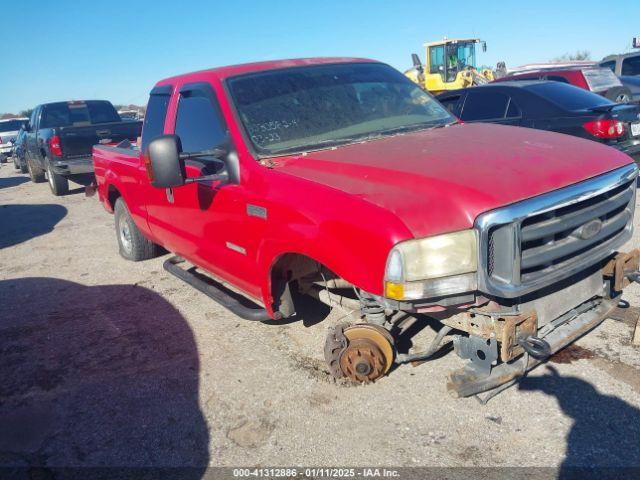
(107, 362)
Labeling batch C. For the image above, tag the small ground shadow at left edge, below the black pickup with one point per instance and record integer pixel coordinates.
(19, 223)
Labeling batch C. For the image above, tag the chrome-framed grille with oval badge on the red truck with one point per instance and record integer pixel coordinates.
(534, 243)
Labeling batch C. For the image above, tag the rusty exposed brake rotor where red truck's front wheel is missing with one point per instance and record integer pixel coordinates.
(362, 353)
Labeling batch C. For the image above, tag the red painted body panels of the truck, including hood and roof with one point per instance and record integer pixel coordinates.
(344, 207)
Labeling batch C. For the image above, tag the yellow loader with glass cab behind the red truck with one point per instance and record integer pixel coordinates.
(450, 64)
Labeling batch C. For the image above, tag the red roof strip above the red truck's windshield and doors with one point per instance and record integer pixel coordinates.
(233, 70)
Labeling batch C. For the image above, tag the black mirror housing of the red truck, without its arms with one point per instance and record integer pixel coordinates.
(165, 168)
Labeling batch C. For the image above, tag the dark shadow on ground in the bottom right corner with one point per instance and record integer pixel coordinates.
(606, 430)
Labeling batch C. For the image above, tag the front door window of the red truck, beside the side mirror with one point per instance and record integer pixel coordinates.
(198, 122)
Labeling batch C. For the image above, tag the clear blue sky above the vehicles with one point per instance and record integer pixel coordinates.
(118, 49)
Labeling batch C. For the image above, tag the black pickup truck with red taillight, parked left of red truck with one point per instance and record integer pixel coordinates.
(60, 136)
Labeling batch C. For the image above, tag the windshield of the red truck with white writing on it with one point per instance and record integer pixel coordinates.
(306, 108)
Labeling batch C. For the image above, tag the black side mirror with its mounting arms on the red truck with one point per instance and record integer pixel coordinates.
(165, 165)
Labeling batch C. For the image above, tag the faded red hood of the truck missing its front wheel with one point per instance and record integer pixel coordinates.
(440, 180)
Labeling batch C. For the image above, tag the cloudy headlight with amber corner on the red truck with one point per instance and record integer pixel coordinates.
(434, 266)
